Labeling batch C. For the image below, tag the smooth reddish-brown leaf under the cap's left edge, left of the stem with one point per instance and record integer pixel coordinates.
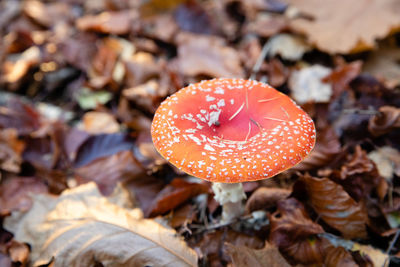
(175, 194)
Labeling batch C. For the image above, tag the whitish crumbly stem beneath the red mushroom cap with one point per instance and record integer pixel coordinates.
(231, 197)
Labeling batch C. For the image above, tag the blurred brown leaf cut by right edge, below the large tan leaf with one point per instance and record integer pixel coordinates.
(384, 64)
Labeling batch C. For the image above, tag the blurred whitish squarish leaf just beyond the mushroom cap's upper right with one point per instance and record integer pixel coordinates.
(307, 85)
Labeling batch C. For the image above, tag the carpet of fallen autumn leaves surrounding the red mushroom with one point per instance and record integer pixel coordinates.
(81, 80)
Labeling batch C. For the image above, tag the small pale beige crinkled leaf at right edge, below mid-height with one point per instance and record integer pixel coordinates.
(387, 160)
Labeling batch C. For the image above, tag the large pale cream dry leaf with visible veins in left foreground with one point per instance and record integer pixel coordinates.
(82, 228)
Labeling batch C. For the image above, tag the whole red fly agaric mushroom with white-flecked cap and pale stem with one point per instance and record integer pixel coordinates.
(229, 131)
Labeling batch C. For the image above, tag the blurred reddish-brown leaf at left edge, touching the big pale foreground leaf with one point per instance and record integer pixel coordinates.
(15, 193)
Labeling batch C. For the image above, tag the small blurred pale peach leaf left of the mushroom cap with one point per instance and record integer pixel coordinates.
(100, 123)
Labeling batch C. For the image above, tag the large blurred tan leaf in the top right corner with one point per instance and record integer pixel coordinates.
(338, 26)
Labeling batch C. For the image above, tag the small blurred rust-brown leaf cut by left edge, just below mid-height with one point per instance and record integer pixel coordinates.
(10, 150)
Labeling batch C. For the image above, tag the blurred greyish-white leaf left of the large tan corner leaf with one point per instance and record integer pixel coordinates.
(290, 47)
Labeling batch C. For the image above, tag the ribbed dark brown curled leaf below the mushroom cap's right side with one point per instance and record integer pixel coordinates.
(334, 205)
